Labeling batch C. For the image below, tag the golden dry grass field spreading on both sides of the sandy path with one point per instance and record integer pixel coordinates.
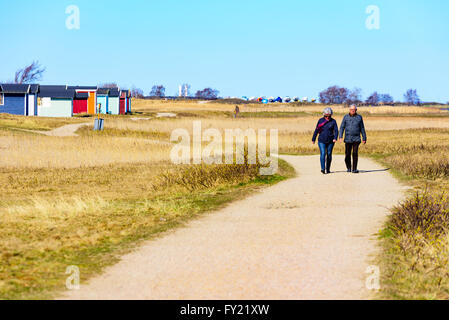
(85, 200)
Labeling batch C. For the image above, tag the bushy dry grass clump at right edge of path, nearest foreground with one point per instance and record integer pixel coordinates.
(416, 249)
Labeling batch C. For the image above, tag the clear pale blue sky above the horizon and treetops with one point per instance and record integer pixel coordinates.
(250, 48)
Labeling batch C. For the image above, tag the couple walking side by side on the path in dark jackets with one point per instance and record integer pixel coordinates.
(327, 129)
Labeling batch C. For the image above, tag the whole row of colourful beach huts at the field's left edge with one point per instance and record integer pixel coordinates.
(62, 100)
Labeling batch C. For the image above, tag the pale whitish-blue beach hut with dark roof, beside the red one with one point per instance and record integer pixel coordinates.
(55, 101)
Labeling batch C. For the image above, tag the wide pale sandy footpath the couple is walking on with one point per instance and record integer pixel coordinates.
(310, 237)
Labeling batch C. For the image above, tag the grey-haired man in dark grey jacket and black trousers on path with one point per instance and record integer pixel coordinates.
(353, 126)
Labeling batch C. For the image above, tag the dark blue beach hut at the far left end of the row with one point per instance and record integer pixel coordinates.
(14, 98)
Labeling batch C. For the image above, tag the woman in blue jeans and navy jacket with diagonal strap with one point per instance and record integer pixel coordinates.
(327, 129)
